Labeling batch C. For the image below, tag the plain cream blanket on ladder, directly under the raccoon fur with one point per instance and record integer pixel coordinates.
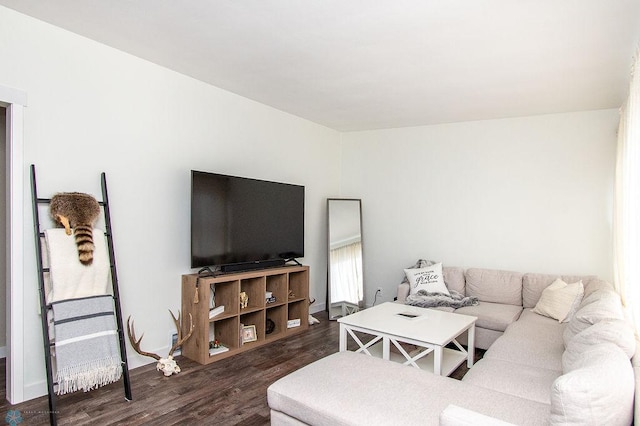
(70, 279)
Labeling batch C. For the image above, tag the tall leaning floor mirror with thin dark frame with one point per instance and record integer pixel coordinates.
(345, 289)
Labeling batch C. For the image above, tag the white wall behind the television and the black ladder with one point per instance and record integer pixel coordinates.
(93, 109)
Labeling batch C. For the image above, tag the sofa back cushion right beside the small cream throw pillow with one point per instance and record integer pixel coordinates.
(599, 306)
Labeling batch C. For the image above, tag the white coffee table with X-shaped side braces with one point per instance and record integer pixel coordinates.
(429, 329)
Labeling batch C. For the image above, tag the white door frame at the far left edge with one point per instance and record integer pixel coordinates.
(15, 101)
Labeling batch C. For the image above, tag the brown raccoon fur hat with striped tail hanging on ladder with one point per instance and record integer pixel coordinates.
(78, 211)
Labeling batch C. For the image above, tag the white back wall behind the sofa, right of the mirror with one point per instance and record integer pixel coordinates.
(526, 194)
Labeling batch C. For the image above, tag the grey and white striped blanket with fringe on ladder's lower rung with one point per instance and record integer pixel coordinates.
(86, 344)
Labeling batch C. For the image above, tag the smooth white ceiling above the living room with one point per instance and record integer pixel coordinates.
(371, 64)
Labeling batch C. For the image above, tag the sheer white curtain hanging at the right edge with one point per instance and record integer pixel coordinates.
(627, 200)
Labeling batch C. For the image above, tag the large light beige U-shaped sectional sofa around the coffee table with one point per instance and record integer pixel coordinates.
(535, 371)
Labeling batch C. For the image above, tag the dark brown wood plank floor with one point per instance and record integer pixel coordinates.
(228, 392)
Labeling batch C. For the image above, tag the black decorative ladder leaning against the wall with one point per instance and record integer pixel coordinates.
(45, 308)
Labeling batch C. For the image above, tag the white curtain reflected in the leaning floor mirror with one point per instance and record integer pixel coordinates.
(346, 273)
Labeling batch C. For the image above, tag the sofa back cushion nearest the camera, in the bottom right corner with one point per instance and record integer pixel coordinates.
(599, 389)
